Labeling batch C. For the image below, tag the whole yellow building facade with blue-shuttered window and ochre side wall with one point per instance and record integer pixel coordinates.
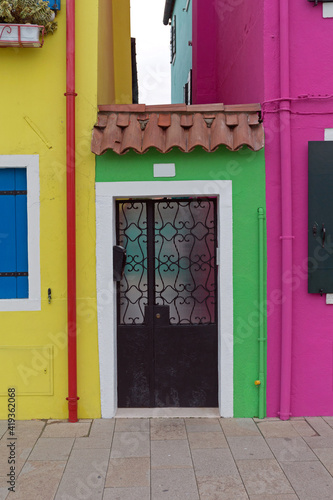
(33, 303)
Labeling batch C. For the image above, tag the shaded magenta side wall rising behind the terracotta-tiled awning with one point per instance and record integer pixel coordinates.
(228, 48)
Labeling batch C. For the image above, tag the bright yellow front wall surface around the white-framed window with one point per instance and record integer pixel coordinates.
(32, 86)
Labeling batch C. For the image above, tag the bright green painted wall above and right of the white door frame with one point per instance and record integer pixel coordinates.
(246, 170)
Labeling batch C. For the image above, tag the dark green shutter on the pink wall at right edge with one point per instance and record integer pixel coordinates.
(320, 217)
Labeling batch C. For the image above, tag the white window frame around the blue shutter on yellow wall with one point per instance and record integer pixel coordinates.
(31, 163)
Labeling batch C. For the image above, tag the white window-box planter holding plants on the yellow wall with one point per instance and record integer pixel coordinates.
(21, 35)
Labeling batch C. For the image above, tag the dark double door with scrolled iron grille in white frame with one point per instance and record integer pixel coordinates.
(167, 303)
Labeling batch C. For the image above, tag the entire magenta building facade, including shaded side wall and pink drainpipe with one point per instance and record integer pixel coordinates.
(279, 55)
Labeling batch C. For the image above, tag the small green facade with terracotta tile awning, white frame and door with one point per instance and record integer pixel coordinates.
(182, 189)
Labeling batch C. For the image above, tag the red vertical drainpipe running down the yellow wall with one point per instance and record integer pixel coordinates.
(71, 231)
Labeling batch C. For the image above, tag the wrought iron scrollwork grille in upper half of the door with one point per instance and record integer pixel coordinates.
(182, 245)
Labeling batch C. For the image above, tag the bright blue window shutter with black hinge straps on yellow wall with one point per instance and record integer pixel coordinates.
(13, 234)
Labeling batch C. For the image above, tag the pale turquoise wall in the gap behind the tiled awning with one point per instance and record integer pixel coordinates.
(183, 60)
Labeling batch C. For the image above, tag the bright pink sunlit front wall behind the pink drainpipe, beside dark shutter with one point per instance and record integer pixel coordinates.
(311, 73)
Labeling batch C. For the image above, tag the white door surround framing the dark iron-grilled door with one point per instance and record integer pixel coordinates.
(106, 193)
